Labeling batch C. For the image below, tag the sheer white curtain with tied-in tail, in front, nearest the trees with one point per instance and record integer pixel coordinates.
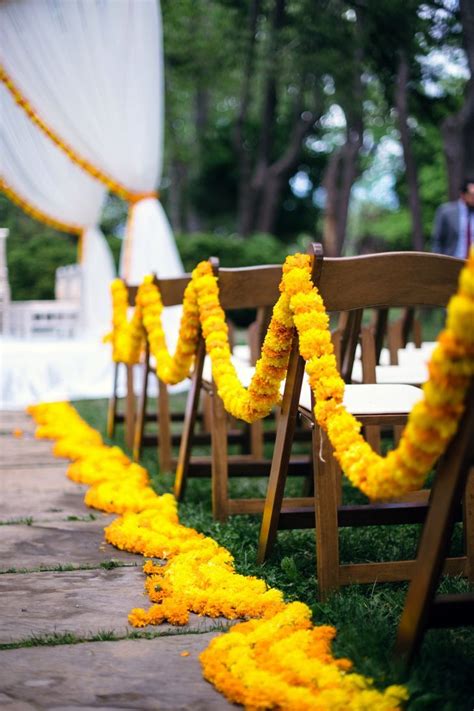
(93, 70)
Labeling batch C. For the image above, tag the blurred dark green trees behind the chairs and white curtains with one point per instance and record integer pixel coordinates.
(343, 121)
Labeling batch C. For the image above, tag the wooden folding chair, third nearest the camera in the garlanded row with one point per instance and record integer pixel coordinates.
(246, 288)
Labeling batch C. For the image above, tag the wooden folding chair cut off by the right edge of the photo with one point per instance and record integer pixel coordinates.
(423, 609)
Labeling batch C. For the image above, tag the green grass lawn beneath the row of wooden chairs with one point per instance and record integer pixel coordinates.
(366, 616)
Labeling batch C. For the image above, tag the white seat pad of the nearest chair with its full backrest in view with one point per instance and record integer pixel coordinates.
(372, 399)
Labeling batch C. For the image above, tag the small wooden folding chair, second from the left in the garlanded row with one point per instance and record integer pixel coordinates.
(172, 293)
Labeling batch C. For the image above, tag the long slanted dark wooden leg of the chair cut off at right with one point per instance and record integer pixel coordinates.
(449, 484)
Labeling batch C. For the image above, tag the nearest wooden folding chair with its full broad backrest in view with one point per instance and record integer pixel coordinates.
(372, 281)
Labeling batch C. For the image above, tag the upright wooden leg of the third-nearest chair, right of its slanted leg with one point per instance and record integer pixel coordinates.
(220, 473)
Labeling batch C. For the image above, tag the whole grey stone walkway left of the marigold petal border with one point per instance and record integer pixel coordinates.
(65, 594)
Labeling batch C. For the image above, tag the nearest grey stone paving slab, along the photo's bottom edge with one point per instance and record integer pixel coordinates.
(127, 674)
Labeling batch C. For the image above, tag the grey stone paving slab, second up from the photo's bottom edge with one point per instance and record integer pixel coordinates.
(81, 602)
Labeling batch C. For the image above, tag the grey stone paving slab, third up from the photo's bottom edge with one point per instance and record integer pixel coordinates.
(76, 543)
